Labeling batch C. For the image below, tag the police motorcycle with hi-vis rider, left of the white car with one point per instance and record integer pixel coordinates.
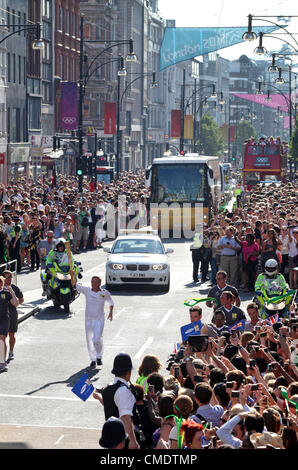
(60, 275)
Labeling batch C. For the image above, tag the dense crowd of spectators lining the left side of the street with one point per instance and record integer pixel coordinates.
(29, 210)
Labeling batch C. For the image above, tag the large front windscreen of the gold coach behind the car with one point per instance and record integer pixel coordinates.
(178, 183)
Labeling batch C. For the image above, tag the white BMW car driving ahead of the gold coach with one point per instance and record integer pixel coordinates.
(138, 258)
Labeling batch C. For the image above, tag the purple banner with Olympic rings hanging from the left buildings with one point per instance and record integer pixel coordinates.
(69, 106)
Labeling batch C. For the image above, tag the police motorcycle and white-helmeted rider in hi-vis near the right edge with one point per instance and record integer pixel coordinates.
(272, 292)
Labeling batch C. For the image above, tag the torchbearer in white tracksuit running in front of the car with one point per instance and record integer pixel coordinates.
(95, 317)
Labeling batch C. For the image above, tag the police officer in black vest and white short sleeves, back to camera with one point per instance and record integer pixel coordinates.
(119, 399)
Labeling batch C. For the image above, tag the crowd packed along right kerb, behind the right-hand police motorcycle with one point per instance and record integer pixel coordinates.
(263, 227)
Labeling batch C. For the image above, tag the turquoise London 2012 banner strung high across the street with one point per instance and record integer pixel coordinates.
(181, 44)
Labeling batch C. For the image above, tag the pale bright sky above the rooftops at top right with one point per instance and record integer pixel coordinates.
(215, 13)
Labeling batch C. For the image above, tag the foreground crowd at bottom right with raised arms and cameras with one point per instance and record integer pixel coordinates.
(239, 391)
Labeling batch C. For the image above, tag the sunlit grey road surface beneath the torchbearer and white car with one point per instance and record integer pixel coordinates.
(37, 407)
